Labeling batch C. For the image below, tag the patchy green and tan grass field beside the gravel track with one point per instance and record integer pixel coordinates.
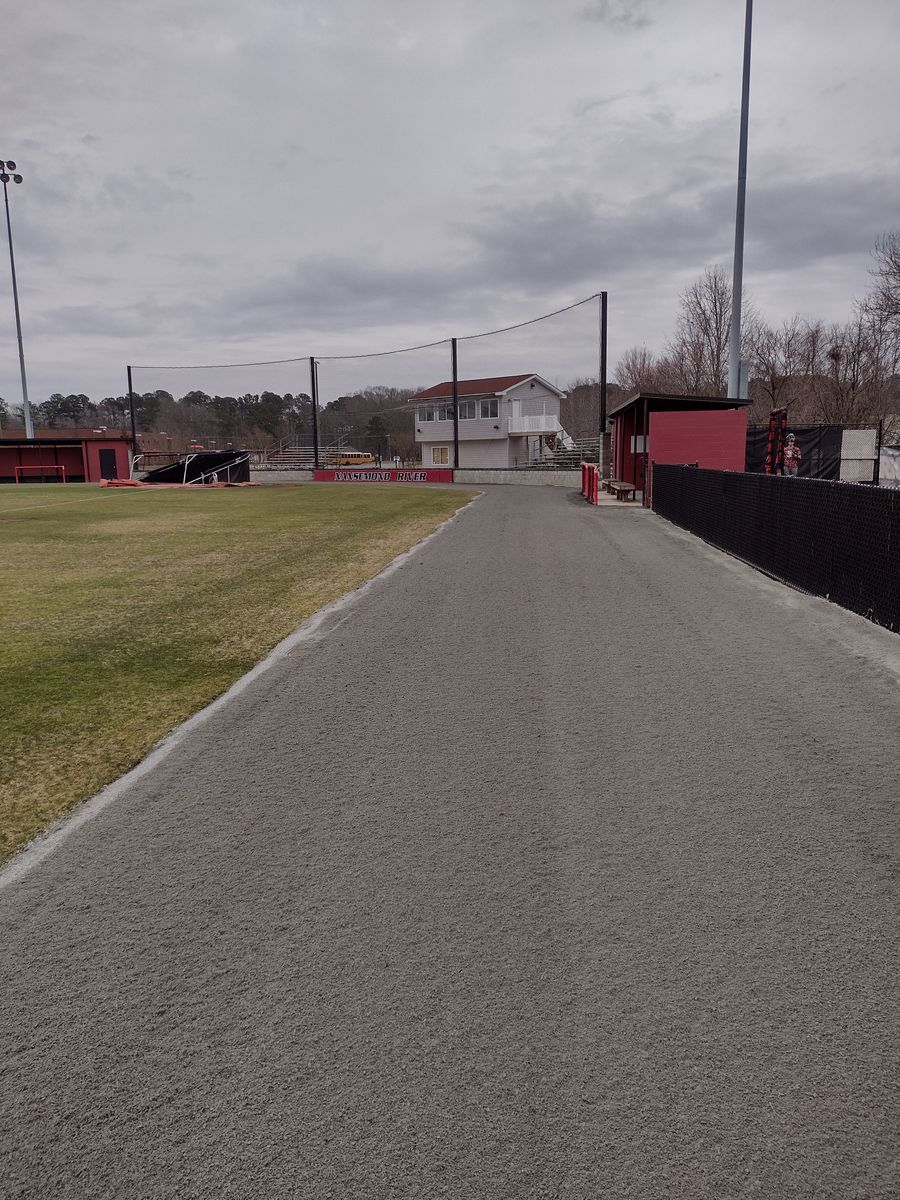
(123, 613)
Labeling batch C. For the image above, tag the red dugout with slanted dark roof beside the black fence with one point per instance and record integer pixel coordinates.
(700, 430)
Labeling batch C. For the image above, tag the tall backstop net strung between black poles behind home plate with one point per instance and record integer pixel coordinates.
(389, 407)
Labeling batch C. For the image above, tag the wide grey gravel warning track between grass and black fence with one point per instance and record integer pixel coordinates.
(567, 865)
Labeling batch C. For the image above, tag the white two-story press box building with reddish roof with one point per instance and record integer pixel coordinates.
(505, 422)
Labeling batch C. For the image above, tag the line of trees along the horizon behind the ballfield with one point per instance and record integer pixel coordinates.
(832, 373)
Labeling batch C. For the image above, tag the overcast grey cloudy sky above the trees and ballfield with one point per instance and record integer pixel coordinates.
(224, 181)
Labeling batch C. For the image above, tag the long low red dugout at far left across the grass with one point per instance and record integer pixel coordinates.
(75, 457)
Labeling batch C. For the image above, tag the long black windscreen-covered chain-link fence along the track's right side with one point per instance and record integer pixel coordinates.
(831, 539)
